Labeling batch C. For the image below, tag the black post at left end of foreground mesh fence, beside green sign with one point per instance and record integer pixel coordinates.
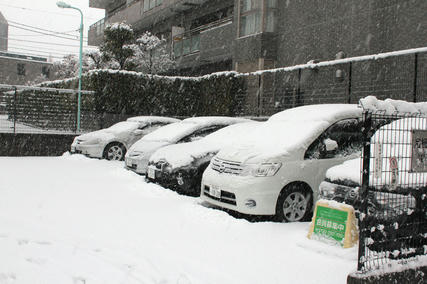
(367, 133)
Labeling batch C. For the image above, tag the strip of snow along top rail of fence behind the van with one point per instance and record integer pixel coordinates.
(343, 61)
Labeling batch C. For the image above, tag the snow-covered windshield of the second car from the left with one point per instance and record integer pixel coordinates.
(171, 133)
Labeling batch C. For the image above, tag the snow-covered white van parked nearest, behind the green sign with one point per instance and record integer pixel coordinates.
(277, 169)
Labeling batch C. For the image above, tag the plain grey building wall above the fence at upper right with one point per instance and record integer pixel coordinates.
(319, 29)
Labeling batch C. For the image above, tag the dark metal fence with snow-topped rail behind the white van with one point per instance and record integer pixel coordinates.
(397, 75)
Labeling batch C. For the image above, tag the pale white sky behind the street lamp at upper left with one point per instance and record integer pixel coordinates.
(46, 15)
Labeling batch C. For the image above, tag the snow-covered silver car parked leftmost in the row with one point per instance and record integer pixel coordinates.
(112, 143)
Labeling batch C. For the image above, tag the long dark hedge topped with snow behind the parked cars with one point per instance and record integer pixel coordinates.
(136, 93)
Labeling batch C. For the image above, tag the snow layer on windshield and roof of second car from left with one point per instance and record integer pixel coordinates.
(176, 131)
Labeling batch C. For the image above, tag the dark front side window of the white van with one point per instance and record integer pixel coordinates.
(345, 134)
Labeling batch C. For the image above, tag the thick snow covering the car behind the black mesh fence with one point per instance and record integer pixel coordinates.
(396, 140)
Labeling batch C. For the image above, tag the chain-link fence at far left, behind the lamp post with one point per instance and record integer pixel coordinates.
(25, 109)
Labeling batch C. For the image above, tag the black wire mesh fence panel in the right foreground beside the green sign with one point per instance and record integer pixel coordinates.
(393, 218)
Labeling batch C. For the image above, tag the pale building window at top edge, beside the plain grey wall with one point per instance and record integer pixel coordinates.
(257, 16)
